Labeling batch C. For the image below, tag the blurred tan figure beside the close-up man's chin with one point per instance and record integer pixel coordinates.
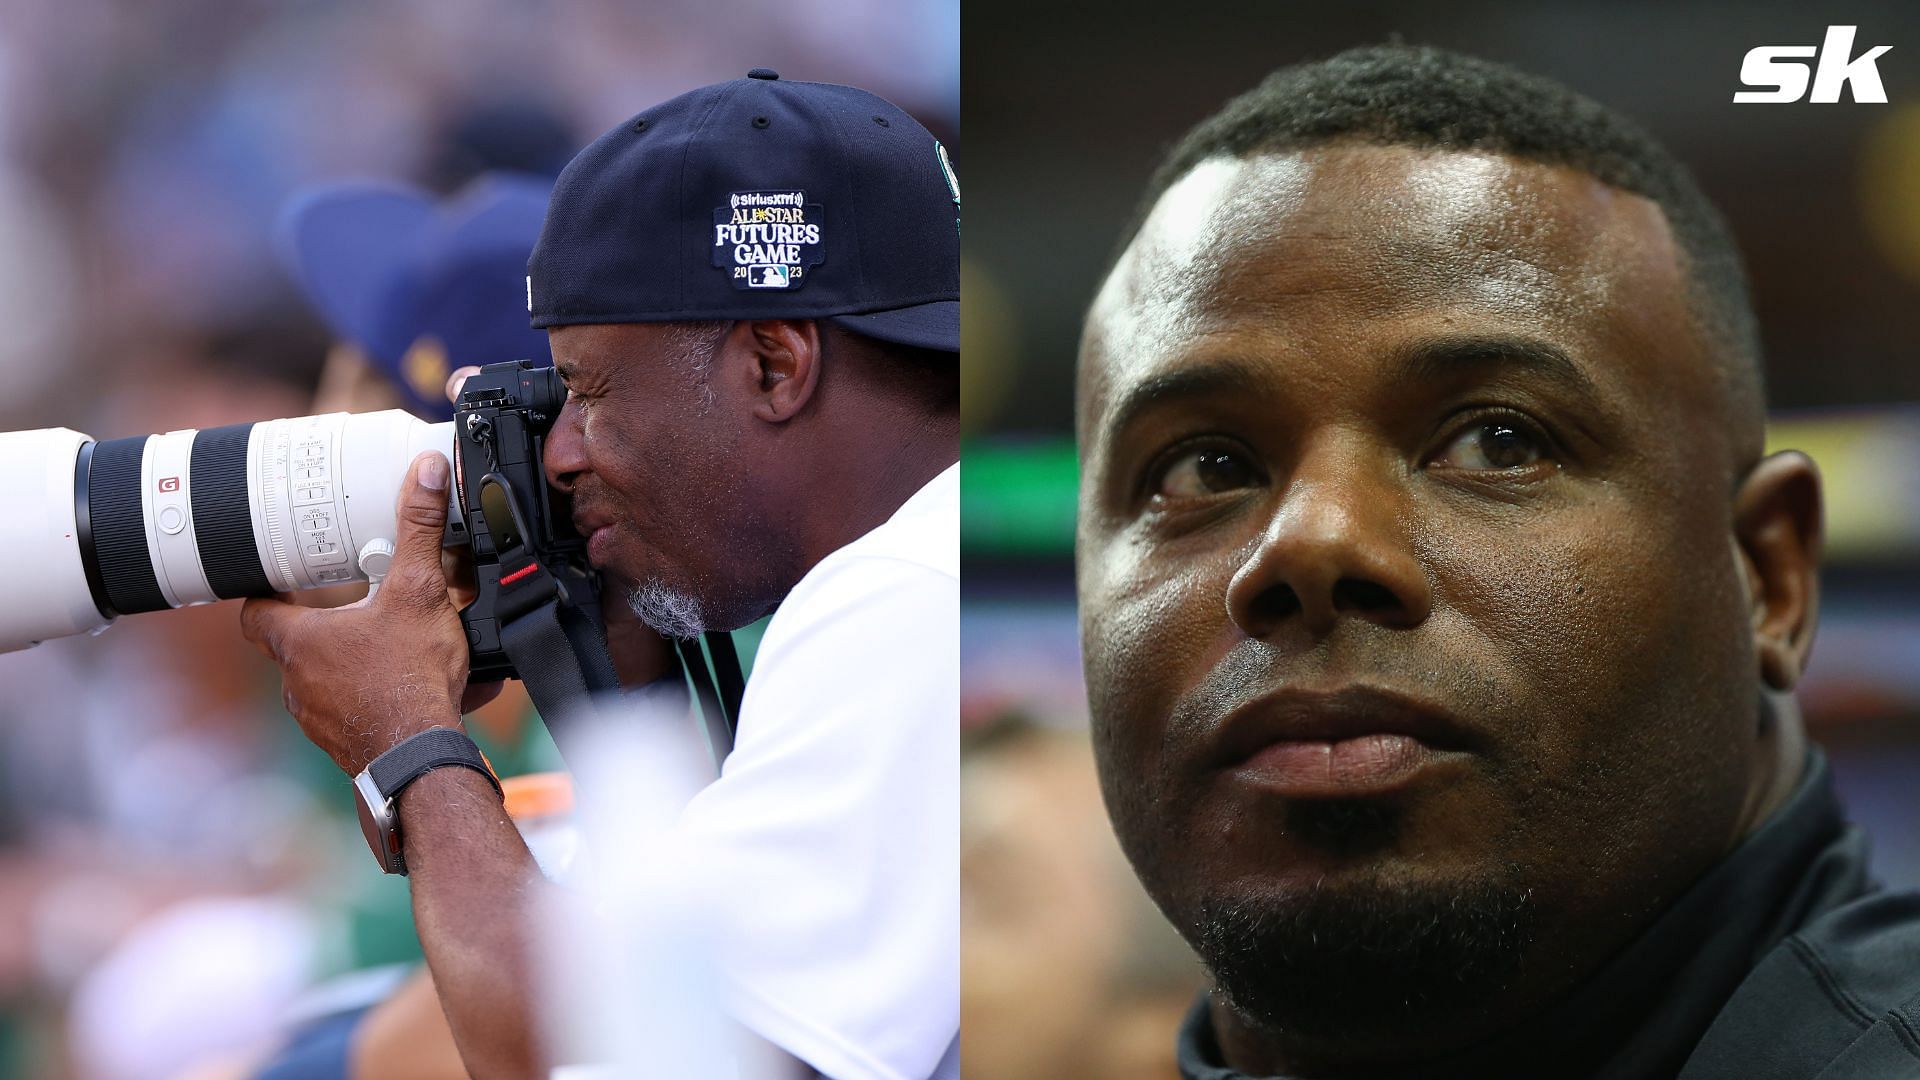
(1068, 970)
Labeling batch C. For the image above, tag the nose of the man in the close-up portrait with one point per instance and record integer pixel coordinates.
(1339, 545)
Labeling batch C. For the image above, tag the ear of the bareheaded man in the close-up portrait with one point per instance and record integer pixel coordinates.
(1777, 526)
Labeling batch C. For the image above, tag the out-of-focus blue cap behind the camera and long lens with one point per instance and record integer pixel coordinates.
(421, 285)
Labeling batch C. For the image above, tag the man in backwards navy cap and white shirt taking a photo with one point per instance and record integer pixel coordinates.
(752, 293)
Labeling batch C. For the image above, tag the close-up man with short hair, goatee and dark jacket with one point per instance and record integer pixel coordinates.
(1441, 606)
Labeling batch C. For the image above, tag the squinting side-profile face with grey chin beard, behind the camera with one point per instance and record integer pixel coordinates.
(654, 456)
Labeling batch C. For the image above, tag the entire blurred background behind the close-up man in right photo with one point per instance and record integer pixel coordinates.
(1070, 114)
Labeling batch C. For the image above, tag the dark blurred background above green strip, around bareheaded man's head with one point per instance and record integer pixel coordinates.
(1072, 114)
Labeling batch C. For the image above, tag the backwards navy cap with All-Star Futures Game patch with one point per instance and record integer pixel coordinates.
(757, 199)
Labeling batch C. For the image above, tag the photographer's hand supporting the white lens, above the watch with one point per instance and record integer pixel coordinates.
(368, 675)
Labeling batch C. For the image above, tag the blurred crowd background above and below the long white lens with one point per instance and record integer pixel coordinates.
(180, 870)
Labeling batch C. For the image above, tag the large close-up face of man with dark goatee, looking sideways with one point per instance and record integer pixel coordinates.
(1412, 606)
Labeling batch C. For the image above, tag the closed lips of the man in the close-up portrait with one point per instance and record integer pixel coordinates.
(1343, 743)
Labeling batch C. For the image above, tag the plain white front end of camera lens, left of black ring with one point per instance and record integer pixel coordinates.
(49, 595)
